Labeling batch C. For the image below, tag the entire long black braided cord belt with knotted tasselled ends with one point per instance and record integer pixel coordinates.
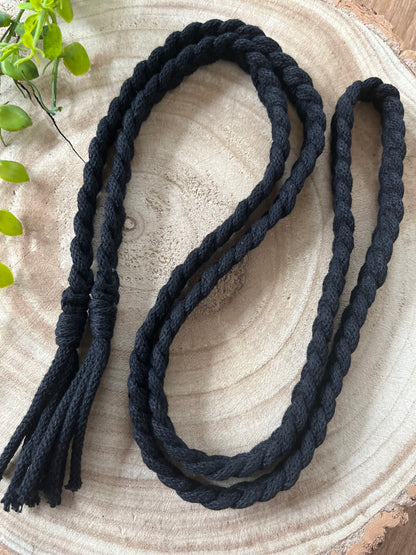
(57, 417)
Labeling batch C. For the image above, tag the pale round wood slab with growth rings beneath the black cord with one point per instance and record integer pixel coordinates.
(236, 359)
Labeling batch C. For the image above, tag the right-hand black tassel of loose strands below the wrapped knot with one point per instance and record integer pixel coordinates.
(50, 430)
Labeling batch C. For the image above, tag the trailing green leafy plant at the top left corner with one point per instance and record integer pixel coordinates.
(22, 46)
